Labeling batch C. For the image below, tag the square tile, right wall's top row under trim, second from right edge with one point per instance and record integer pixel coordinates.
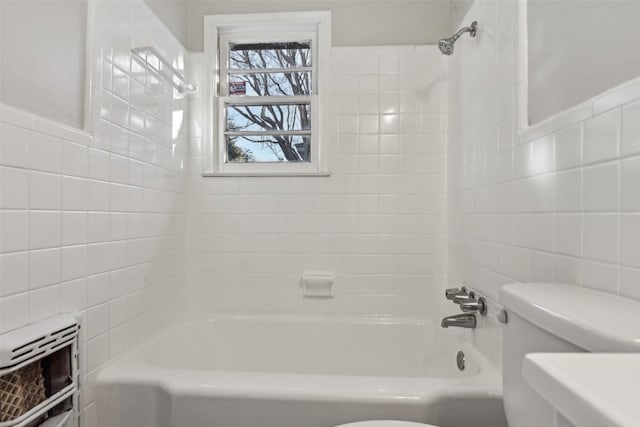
(601, 137)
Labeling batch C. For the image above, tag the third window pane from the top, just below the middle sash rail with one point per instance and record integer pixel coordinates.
(274, 117)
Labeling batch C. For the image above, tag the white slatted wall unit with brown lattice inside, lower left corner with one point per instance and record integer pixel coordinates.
(39, 374)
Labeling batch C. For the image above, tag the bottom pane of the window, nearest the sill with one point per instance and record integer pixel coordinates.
(268, 149)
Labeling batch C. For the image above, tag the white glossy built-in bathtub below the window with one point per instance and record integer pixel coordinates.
(299, 371)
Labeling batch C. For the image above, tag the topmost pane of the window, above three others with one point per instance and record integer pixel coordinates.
(270, 55)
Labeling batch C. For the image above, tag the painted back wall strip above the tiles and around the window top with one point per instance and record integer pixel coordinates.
(355, 22)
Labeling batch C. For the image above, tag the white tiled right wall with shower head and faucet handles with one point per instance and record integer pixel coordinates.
(565, 196)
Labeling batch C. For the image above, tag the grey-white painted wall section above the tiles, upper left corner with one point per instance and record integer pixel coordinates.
(42, 57)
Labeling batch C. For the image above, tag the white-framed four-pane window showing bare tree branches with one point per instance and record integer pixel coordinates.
(267, 77)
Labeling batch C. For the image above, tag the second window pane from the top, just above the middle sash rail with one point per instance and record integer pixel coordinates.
(270, 84)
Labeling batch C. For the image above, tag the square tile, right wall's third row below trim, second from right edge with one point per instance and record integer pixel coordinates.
(601, 237)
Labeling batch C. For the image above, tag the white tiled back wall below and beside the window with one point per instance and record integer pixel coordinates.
(378, 222)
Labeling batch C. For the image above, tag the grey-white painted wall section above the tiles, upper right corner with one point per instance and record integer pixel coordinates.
(578, 49)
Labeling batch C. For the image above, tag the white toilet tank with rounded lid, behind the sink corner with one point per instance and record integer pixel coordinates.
(552, 318)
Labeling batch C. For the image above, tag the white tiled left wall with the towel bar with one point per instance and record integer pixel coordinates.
(96, 224)
